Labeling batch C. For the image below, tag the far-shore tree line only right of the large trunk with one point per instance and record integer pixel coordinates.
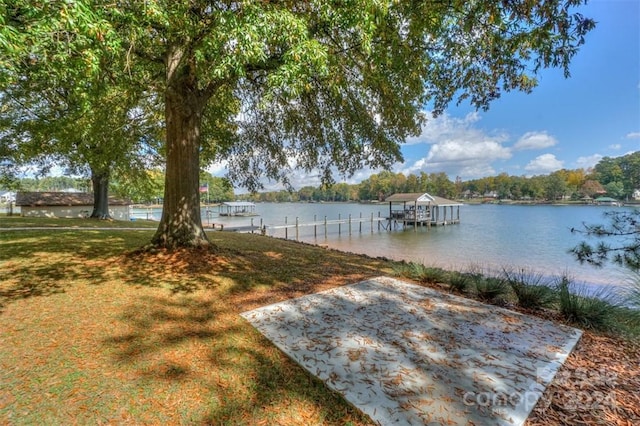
(614, 177)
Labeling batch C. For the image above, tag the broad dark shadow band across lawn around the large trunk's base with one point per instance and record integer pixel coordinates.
(41, 263)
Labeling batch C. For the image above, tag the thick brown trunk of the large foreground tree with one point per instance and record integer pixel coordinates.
(181, 223)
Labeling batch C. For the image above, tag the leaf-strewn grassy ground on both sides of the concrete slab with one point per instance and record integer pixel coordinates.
(93, 331)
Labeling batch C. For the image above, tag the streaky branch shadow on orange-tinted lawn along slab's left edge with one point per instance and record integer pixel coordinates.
(204, 348)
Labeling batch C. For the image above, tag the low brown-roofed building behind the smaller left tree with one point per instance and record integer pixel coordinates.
(68, 205)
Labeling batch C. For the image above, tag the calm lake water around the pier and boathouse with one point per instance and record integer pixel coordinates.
(489, 236)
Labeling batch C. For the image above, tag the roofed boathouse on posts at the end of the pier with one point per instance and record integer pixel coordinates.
(422, 209)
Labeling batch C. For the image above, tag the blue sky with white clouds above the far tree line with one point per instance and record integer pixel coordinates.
(564, 123)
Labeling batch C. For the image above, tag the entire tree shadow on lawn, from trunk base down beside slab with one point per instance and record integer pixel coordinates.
(179, 333)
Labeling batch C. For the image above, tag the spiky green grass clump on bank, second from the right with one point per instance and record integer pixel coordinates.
(532, 289)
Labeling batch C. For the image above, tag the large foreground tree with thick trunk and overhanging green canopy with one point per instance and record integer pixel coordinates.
(271, 85)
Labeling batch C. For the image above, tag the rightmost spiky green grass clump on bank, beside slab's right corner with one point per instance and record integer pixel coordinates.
(595, 310)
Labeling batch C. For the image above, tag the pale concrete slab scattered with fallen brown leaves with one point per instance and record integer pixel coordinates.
(409, 355)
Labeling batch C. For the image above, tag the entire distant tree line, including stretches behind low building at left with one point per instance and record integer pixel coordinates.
(617, 177)
